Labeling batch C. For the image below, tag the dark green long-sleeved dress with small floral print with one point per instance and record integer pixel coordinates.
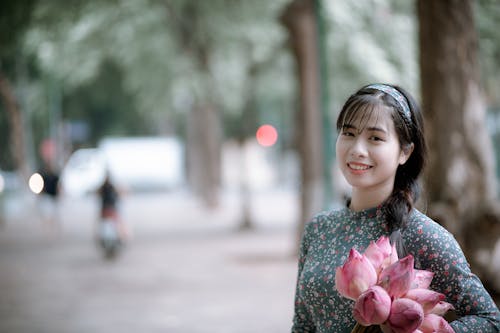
(325, 246)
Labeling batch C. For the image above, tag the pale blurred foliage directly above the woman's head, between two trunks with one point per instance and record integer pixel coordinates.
(371, 41)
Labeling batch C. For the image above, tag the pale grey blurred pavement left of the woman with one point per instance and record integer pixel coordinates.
(186, 268)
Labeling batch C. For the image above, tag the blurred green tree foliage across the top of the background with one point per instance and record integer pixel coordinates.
(124, 65)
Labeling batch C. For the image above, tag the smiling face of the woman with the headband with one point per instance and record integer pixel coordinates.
(369, 153)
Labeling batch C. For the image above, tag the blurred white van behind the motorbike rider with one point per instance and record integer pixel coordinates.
(143, 163)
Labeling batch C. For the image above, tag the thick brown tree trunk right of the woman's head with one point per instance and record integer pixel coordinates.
(460, 179)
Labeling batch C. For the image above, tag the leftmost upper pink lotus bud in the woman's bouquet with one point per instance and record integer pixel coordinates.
(355, 276)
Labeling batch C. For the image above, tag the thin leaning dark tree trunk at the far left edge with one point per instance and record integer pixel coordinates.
(15, 119)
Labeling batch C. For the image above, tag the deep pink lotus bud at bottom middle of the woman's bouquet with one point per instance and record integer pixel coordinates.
(406, 315)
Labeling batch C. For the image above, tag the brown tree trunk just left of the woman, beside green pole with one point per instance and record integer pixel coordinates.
(299, 19)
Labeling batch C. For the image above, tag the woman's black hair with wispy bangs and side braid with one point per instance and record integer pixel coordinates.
(410, 130)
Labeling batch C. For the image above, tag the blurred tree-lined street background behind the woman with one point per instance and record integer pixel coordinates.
(216, 122)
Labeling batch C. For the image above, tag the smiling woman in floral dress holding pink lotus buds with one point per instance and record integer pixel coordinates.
(381, 153)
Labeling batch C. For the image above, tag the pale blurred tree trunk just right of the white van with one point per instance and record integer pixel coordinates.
(204, 124)
